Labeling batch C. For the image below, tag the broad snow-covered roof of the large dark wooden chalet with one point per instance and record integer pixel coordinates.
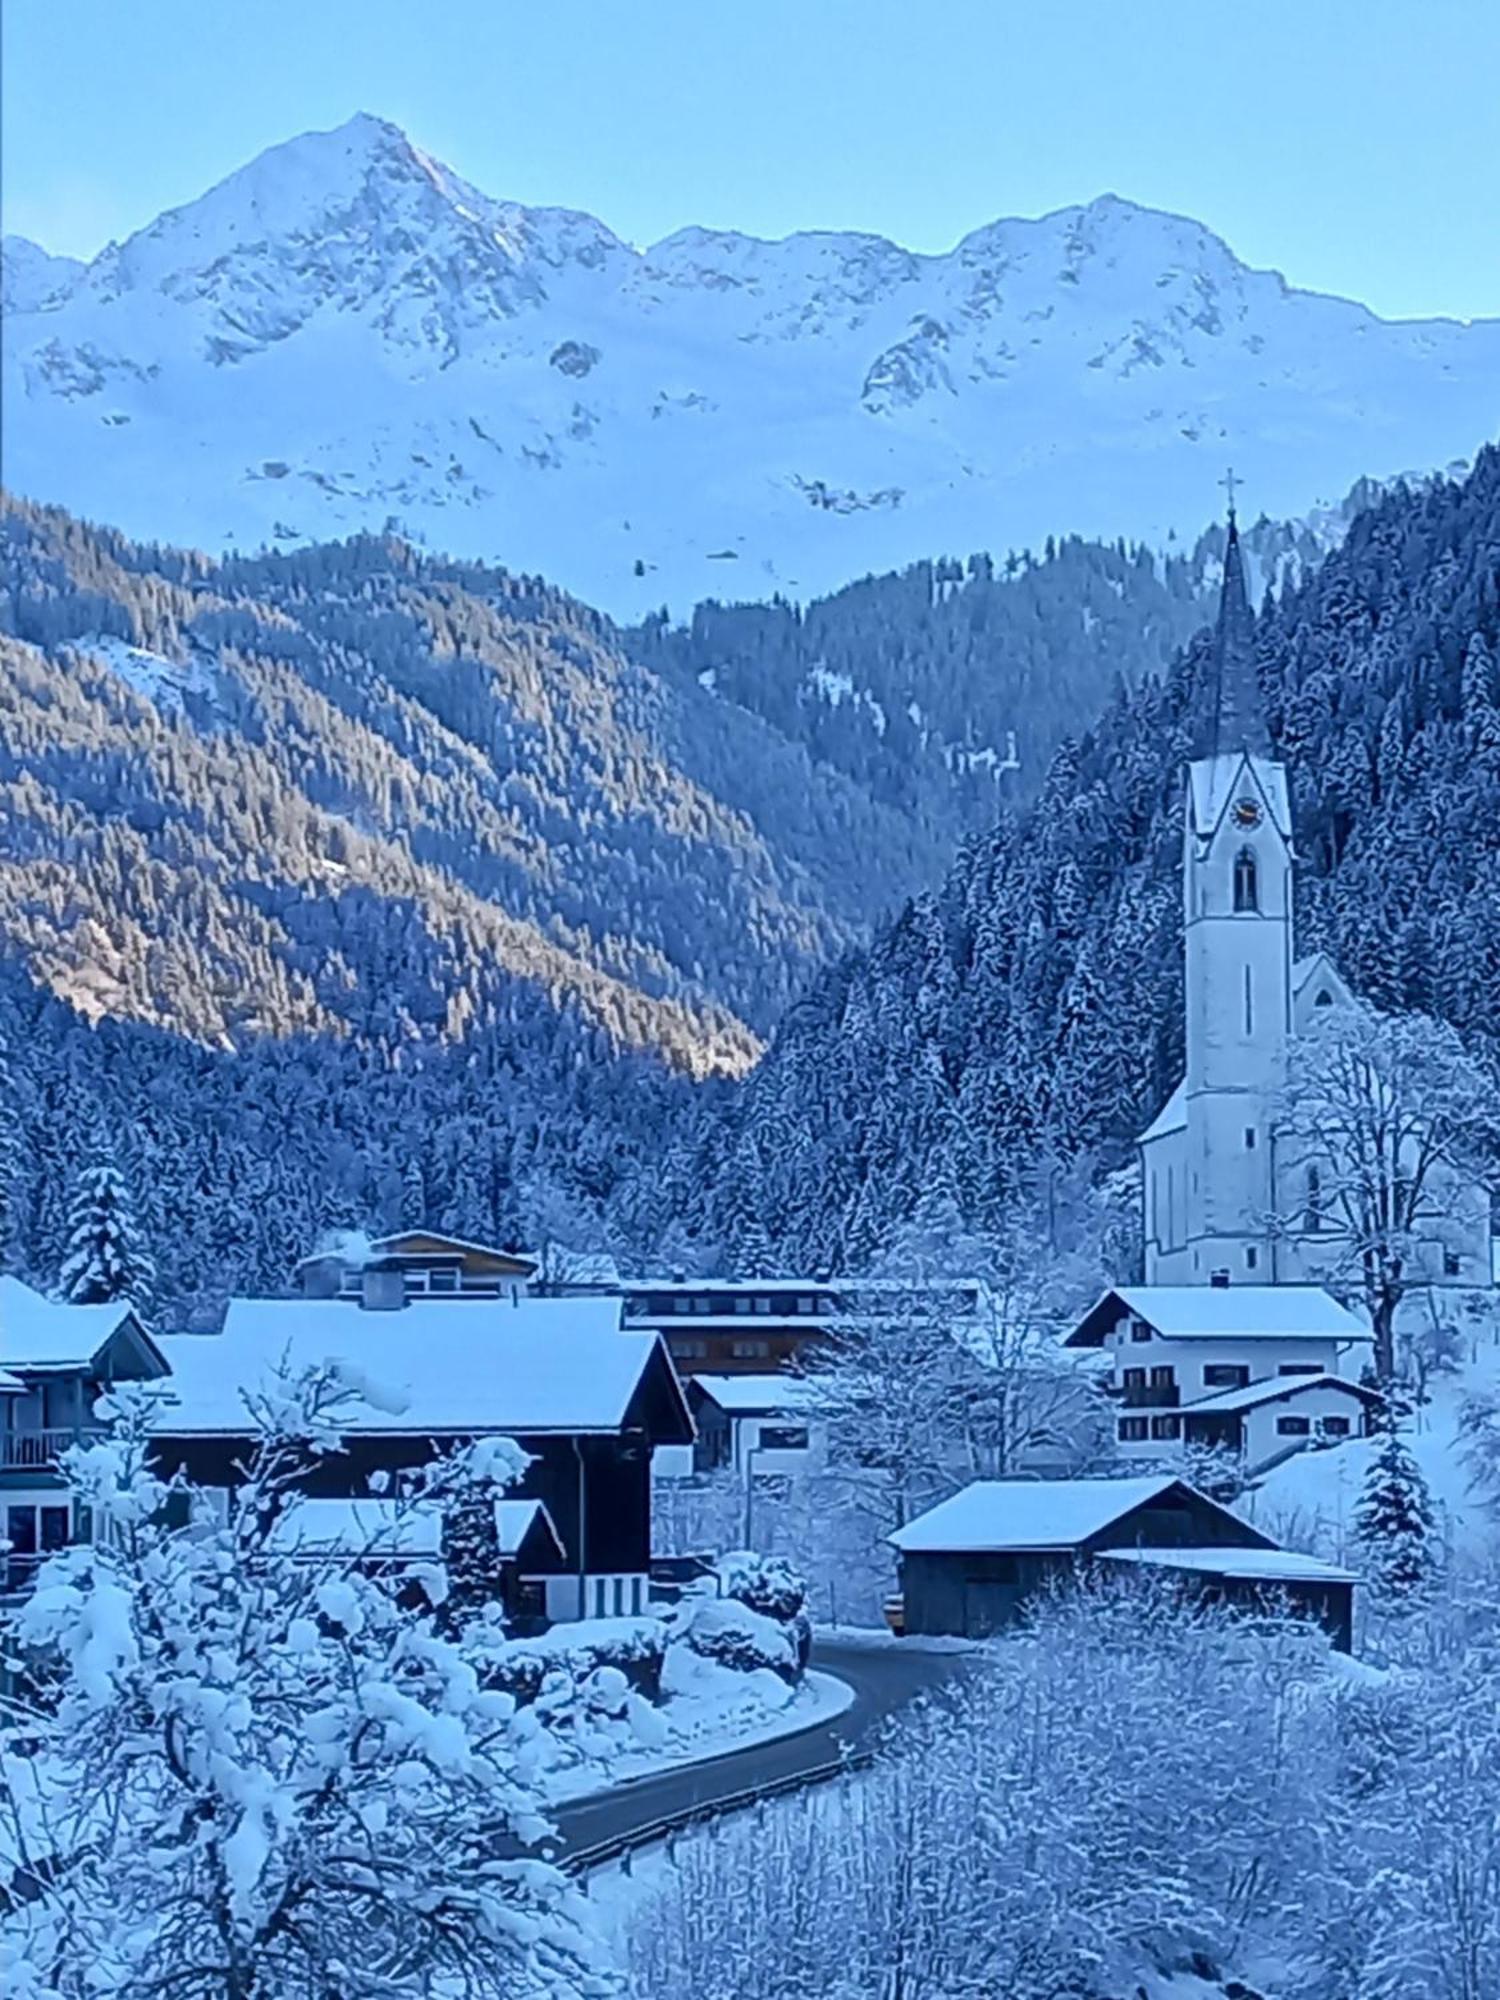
(433, 1367)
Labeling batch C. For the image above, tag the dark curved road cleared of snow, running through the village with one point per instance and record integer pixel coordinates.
(885, 1679)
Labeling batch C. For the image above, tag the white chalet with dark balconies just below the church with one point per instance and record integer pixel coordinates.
(1255, 1369)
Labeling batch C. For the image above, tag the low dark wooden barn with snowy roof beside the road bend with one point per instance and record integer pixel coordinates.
(973, 1565)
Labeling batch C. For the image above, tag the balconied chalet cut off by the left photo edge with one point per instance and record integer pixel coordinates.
(55, 1363)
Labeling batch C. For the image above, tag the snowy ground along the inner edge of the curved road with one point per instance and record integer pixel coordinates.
(709, 1713)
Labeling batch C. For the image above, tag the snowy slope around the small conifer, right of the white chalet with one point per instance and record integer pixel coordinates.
(1309, 1501)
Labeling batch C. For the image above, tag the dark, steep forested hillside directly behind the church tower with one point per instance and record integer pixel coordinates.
(1021, 1023)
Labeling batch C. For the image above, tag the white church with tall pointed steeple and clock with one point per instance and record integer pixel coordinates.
(1219, 1207)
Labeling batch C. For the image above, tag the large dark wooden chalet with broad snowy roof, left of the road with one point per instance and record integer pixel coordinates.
(587, 1401)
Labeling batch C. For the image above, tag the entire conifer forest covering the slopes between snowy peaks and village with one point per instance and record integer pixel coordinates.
(359, 887)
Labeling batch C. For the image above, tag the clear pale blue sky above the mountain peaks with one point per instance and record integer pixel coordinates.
(1347, 145)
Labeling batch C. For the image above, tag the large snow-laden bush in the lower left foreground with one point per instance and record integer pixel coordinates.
(263, 1777)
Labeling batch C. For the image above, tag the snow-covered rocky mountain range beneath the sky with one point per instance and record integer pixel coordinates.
(347, 335)
